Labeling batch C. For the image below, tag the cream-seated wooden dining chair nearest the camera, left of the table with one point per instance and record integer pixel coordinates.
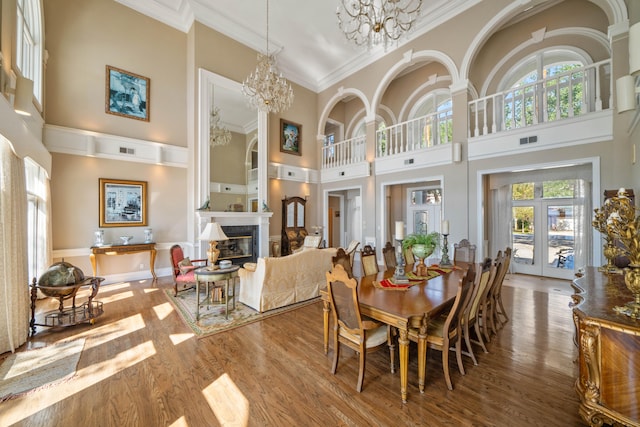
(350, 328)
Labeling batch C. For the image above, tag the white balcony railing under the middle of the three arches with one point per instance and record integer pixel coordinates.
(422, 132)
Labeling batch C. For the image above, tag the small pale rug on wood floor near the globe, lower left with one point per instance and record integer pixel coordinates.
(31, 370)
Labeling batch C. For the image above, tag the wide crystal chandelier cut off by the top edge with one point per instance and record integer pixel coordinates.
(375, 22)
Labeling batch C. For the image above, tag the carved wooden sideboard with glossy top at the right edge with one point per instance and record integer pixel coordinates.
(608, 383)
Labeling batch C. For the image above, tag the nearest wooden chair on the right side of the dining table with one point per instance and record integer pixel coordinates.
(443, 333)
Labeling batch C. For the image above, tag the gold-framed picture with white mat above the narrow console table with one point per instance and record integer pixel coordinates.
(123, 203)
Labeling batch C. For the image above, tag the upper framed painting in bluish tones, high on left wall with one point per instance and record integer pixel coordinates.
(127, 94)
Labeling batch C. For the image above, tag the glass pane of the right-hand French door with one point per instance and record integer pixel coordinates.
(560, 236)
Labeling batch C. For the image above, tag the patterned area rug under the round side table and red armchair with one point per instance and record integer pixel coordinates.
(212, 318)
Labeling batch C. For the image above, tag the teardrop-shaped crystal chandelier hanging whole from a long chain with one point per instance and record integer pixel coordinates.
(265, 88)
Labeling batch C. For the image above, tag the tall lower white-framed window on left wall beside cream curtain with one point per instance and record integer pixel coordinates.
(37, 218)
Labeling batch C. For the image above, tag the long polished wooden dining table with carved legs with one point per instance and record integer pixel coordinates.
(403, 309)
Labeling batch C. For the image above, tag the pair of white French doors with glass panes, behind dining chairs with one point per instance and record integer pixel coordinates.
(543, 236)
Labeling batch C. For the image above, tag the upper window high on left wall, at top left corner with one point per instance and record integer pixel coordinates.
(29, 43)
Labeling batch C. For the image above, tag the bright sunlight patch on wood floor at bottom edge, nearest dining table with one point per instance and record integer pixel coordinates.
(227, 402)
